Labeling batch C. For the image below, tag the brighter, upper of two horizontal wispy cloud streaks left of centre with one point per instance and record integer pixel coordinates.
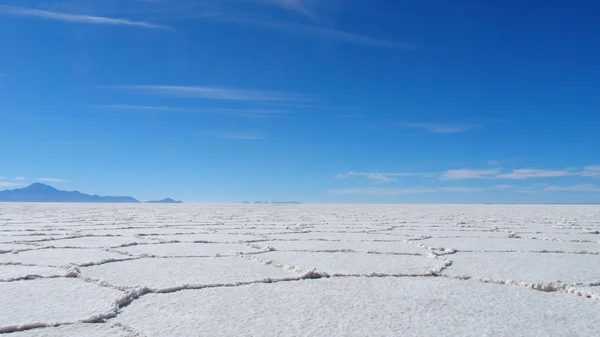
(218, 93)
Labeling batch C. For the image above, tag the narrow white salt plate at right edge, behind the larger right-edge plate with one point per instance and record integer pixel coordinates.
(507, 244)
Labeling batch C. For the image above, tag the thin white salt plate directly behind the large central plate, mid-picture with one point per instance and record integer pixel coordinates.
(361, 247)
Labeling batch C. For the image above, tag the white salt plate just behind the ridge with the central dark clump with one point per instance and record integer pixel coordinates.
(352, 263)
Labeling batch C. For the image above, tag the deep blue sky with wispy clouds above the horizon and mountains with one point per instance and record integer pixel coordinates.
(329, 101)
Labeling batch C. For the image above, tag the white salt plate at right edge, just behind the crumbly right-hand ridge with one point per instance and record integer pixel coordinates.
(526, 267)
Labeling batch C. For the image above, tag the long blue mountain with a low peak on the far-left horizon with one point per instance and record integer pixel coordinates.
(43, 193)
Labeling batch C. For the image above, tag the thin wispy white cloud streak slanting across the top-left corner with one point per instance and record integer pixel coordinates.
(78, 18)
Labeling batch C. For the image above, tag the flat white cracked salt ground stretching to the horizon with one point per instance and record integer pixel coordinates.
(190, 270)
